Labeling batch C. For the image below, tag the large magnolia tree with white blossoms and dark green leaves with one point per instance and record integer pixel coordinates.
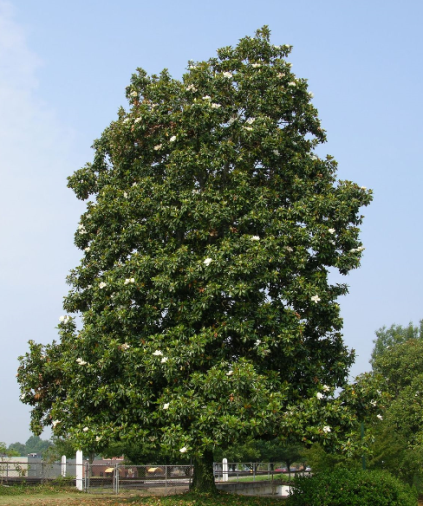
(210, 230)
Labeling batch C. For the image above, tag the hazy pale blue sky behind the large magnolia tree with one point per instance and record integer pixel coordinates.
(63, 71)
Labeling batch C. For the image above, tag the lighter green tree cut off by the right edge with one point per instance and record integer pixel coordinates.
(397, 361)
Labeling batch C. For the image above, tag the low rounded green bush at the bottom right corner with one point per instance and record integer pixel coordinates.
(344, 487)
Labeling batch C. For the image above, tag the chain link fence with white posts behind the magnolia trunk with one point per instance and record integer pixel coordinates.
(116, 476)
